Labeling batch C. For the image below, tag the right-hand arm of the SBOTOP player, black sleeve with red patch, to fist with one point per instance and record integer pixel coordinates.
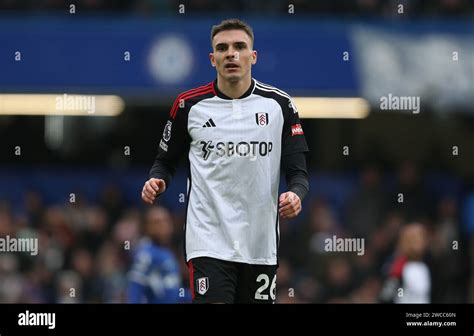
(293, 163)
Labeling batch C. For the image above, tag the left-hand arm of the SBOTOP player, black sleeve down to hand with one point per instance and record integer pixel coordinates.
(173, 144)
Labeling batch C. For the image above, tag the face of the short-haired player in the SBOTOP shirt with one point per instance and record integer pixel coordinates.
(233, 55)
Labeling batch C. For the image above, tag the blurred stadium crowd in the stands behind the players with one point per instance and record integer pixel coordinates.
(85, 249)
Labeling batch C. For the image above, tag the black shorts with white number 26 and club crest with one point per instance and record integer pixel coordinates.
(218, 281)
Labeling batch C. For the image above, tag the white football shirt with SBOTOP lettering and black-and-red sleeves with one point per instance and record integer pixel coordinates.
(234, 147)
